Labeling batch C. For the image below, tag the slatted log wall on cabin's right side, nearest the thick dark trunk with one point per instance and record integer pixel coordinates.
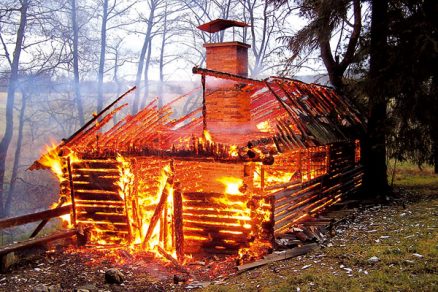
(297, 201)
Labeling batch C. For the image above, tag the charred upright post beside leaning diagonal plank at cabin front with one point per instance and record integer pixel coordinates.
(178, 222)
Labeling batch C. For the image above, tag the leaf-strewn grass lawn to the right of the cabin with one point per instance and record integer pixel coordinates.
(402, 235)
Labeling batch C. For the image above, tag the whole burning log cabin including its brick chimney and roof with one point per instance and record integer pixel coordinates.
(231, 176)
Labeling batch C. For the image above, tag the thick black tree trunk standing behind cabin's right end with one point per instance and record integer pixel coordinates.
(374, 158)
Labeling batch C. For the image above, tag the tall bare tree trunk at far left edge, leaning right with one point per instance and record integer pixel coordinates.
(13, 80)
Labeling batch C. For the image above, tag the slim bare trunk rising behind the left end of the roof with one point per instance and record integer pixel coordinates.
(75, 28)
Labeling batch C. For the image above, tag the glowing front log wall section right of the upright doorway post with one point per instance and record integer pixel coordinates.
(214, 222)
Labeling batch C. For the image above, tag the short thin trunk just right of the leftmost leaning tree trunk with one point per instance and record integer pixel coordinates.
(17, 154)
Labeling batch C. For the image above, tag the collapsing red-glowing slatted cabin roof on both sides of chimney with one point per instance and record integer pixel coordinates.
(290, 113)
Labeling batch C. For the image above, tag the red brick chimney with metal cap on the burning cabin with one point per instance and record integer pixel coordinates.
(227, 108)
